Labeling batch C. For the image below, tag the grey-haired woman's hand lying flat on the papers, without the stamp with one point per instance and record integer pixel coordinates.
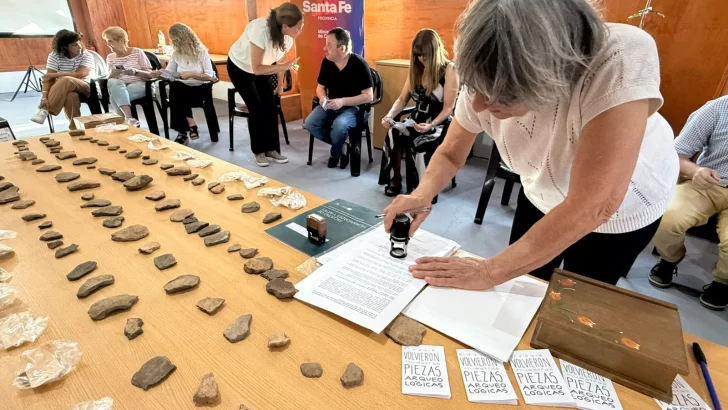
(453, 272)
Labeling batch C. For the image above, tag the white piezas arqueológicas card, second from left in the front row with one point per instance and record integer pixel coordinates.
(485, 378)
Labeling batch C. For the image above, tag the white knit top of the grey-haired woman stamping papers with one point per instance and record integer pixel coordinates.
(541, 145)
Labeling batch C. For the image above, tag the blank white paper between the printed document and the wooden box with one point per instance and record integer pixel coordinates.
(491, 321)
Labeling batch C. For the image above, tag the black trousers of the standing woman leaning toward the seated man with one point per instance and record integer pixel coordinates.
(257, 92)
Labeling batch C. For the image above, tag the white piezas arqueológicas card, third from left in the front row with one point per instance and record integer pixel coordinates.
(539, 378)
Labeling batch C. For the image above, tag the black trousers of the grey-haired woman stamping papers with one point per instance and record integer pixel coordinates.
(601, 256)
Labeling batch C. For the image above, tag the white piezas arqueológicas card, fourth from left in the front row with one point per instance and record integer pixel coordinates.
(590, 390)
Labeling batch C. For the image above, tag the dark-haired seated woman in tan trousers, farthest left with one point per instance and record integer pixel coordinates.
(65, 82)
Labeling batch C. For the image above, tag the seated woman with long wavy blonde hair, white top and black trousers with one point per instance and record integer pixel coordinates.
(192, 61)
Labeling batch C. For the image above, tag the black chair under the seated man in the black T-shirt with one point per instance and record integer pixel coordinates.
(362, 126)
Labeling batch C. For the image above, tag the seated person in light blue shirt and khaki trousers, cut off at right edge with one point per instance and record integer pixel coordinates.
(699, 198)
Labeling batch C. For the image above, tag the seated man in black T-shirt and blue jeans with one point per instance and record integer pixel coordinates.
(344, 82)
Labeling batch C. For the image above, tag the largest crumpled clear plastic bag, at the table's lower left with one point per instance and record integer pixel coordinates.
(47, 363)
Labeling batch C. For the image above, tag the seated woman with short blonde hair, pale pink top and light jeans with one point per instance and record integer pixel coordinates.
(129, 67)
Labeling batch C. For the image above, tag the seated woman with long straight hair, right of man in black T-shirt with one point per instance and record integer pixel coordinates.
(433, 84)
